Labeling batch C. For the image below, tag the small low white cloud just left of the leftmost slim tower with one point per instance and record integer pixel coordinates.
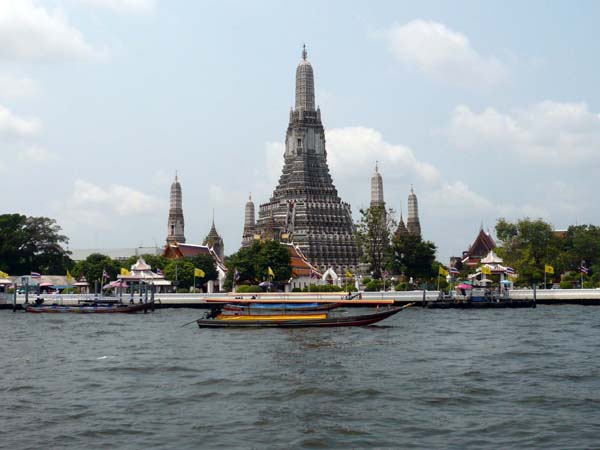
(116, 199)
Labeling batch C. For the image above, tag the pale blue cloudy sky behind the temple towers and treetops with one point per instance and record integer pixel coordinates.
(489, 109)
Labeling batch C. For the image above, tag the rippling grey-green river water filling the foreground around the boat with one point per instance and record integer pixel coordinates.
(526, 378)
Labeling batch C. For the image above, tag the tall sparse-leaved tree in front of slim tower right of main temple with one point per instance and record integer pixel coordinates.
(373, 233)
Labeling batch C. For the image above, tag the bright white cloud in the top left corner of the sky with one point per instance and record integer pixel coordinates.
(28, 32)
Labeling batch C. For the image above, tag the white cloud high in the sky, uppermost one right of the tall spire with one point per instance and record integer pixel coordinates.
(443, 54)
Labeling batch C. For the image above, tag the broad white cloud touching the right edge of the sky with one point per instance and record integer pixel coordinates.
(548, 132)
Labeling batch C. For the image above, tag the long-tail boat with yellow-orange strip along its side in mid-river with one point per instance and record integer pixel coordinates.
(216, 319)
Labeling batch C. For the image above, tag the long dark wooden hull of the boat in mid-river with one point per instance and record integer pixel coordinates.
(347, 321)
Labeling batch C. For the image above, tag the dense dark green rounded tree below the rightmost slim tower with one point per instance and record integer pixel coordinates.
(413, 257)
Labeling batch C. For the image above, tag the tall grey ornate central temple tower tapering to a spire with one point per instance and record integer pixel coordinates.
(305, 207)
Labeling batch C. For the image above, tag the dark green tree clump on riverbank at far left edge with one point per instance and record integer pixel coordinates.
(32, 244)
